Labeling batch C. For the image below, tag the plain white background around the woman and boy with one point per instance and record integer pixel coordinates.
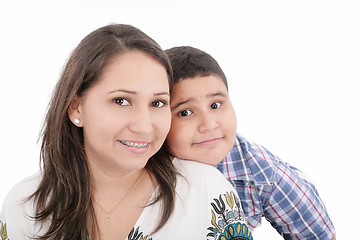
(293, 69)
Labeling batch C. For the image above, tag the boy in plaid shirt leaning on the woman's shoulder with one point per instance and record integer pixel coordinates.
(203, 129)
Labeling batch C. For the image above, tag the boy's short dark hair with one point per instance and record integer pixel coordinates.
(189, 62)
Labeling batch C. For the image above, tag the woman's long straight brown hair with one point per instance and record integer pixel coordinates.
(63, 199)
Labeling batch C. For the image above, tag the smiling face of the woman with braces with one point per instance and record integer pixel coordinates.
(126, 115)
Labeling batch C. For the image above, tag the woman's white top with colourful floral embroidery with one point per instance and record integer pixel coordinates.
(206, 207)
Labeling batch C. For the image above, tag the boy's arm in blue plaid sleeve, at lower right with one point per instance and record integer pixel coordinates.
(295, 208)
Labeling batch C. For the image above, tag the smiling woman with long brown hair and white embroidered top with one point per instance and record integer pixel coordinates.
(103, 174)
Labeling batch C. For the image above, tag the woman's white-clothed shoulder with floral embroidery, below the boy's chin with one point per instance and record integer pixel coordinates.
(204, 194)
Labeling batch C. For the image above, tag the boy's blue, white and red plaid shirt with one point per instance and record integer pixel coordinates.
(272, 188)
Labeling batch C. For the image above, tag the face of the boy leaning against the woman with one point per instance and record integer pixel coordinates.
(203, 125)
